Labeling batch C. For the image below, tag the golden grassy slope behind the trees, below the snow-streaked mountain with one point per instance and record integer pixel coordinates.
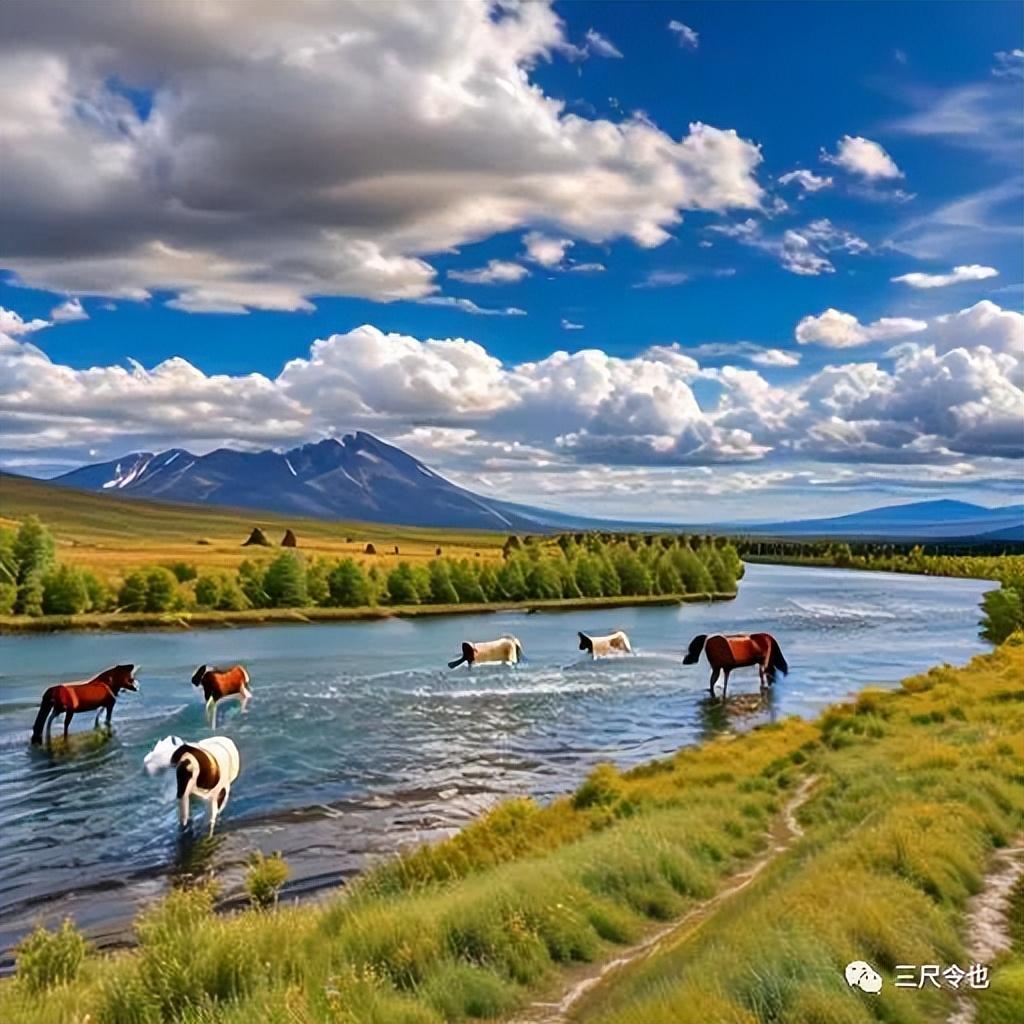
(111, 535)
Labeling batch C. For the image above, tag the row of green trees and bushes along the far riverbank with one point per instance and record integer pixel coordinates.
(571, 567)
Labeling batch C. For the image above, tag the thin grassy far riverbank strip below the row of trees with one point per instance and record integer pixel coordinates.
(137, 622)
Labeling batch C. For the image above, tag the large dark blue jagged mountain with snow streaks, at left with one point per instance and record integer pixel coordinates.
(357, 478)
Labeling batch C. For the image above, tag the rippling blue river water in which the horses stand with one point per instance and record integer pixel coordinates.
(359, 740)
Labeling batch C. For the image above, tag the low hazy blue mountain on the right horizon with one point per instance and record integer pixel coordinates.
(918, 521)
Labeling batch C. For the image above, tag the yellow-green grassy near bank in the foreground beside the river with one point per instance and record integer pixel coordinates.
(917, 790)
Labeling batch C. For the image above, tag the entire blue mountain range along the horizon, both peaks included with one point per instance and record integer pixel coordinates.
(360, 477)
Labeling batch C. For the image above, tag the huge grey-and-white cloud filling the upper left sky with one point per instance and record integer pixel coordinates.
(140, 158)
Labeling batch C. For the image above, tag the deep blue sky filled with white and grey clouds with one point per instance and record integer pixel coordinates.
(696, 262)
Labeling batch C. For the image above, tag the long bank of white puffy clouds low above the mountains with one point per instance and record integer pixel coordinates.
(951, 390)
